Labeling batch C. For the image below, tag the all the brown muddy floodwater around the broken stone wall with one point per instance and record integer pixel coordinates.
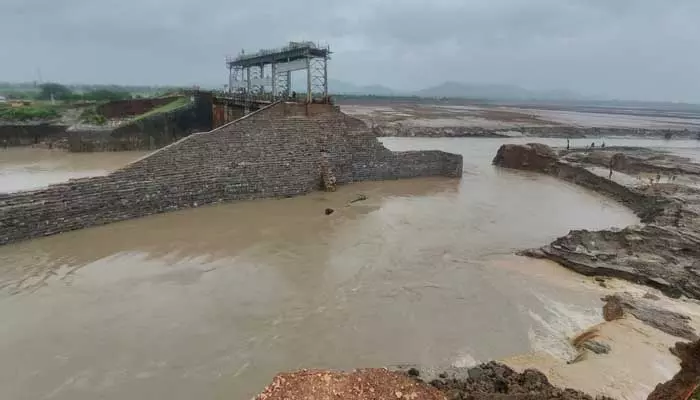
(211, 303)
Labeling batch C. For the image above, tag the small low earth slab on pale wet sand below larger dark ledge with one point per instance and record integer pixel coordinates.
(671, 322)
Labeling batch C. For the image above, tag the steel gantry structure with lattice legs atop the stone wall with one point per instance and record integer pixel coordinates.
(268, 73)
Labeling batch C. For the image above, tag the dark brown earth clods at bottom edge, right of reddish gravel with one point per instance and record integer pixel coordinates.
(497, 381)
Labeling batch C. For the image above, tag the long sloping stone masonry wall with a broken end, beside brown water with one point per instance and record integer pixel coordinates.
(274, 152)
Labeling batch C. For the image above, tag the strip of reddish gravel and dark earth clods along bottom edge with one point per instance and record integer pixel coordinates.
(489, 381)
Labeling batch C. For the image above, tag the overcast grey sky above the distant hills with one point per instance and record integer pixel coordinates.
(631, 49)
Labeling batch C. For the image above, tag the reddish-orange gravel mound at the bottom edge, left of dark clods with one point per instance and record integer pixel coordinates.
(364, 384)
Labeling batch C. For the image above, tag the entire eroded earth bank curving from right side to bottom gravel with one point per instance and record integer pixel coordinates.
(661, 254)
